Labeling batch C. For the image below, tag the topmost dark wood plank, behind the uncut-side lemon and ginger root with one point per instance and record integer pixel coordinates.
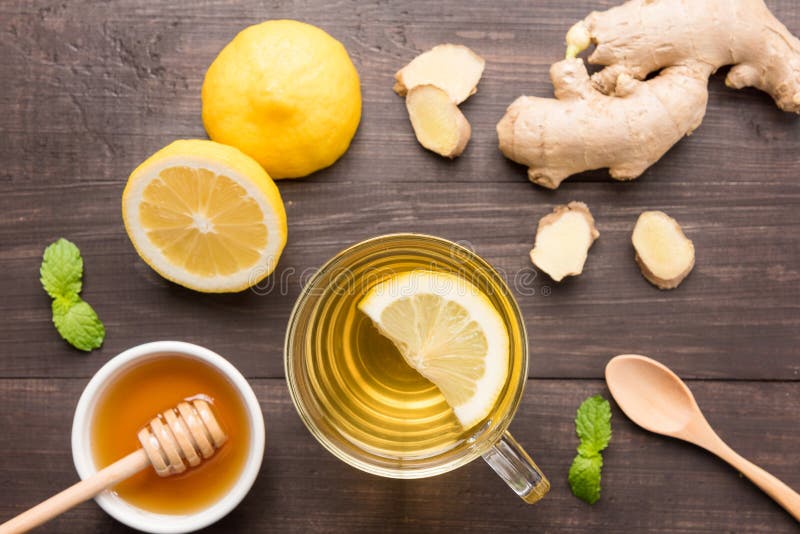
(98, 86)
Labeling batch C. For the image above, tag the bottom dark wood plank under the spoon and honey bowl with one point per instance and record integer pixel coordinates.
(650, 484)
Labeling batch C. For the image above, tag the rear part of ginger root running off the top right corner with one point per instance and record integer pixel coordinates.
(742, 33)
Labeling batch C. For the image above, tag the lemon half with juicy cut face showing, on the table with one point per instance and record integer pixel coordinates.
(205, 216)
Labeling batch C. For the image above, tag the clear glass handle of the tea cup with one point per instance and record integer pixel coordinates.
(514, 466)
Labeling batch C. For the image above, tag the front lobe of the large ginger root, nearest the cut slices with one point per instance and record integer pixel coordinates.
(583, 129)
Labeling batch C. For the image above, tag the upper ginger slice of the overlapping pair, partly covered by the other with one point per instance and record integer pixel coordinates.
(453, 68)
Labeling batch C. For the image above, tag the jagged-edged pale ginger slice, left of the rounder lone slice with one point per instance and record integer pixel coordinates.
(563, 239)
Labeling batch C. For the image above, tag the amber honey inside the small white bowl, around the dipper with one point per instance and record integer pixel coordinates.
(148, 388)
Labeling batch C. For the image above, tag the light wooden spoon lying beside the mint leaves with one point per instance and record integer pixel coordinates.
(655, 398)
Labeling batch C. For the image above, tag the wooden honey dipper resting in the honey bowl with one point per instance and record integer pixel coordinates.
(183, 435)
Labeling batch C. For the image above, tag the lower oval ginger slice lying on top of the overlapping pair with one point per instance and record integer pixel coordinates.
(438, 123)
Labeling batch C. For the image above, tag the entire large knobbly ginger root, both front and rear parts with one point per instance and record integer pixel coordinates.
(616, 120)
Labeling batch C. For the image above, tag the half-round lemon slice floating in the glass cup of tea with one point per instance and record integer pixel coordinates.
(450, 332)
